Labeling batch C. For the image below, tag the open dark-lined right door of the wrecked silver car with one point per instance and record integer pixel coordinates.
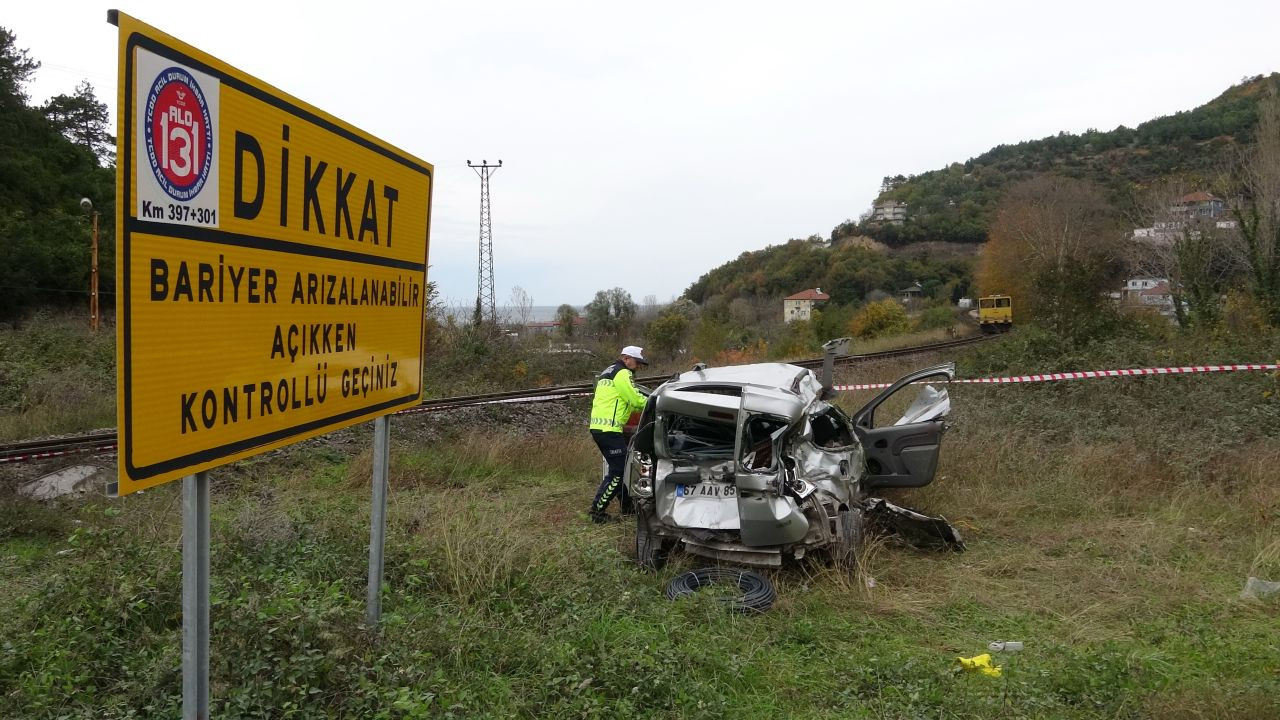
(906, 454)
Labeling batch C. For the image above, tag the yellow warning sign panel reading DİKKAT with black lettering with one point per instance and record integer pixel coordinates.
(271, 266)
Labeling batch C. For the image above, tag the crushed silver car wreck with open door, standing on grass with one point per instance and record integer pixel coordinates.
(751, 464)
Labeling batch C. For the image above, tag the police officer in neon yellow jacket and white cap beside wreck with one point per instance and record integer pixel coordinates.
(616, 399)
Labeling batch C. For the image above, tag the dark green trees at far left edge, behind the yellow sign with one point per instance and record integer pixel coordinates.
(51, 158)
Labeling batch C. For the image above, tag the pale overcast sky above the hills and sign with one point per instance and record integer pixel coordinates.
(647, 144)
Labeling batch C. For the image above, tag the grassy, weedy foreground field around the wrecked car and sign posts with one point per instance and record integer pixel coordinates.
(1114, 548)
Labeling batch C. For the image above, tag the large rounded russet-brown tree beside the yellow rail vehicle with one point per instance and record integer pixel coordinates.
(1055, 248)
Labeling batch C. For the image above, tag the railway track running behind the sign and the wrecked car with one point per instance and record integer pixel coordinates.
(106, 441)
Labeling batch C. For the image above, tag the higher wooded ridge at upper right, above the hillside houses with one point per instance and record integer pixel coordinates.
(957, 203)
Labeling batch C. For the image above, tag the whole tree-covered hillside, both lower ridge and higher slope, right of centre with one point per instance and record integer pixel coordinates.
(958, 203)
